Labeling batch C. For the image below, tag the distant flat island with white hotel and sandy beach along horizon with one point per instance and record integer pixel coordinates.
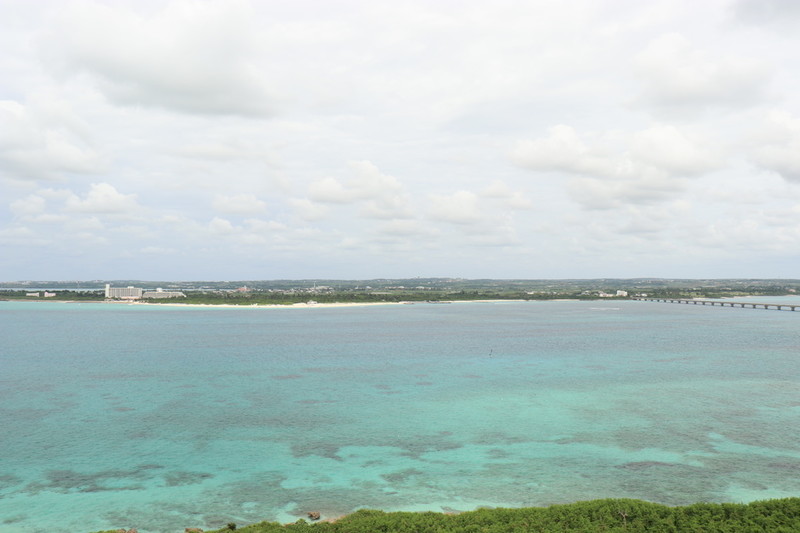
(325, 291)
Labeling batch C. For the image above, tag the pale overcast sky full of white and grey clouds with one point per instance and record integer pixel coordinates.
(266, 139)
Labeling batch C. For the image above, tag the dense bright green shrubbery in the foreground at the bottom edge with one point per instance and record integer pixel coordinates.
(773, 516)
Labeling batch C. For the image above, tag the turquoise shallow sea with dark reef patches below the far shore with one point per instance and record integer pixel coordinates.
(162, 418)
